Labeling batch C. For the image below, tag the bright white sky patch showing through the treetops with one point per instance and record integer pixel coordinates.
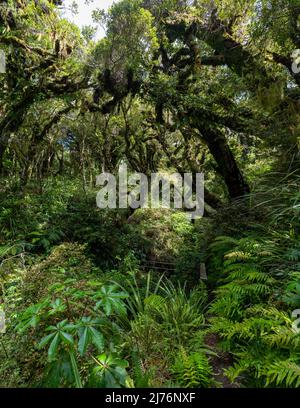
(84, 16)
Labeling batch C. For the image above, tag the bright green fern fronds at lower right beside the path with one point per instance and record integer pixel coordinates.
(252, 320)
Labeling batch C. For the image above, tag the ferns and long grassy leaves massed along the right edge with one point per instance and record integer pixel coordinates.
(257, 298)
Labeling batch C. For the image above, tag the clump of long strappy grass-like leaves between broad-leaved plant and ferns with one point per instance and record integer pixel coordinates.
(165, 318)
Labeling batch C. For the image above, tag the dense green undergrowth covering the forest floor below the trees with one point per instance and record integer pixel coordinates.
(81, 312)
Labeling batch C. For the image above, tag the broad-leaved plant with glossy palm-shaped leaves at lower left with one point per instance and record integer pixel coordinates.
(76, 318)
